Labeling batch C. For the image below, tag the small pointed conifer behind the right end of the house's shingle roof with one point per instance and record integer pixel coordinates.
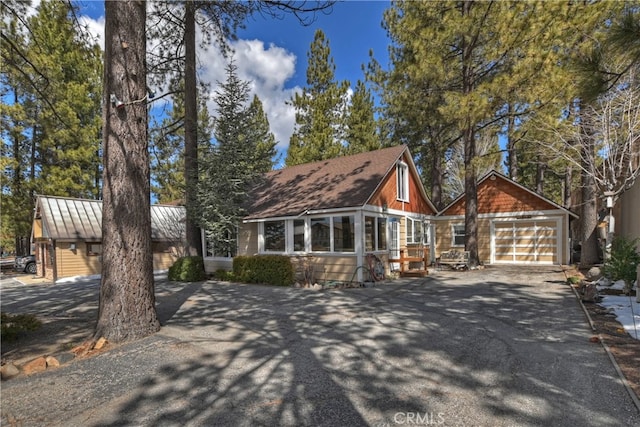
(361, 128)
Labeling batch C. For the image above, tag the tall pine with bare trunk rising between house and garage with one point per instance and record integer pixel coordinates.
(465, 60)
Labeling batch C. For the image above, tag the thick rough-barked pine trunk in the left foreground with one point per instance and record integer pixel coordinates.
(127, 300)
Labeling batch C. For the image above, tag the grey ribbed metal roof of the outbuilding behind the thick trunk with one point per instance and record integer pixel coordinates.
(70, 219)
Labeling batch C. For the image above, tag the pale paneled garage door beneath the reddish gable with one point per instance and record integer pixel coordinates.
(525, 242)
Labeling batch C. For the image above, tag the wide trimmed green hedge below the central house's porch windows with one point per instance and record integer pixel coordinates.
(264, 269)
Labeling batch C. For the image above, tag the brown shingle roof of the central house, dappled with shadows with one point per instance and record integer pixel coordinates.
(329, 184)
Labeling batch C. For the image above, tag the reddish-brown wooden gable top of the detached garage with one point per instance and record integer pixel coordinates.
(499, 194)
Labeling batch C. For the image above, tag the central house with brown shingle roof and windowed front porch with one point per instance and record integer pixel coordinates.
(333, 213)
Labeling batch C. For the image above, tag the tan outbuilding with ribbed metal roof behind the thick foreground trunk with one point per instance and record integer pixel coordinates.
(67, 235)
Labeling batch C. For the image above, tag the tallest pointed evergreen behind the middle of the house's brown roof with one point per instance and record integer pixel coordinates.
(320, 109)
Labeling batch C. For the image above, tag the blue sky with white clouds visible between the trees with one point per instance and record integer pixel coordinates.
(272, 53)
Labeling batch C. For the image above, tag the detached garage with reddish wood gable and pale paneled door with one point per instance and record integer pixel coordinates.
(515, 225)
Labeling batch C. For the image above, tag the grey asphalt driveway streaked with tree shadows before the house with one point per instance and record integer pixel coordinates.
(495, 347)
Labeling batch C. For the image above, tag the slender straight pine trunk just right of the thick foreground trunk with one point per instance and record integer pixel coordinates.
(194, 239)
